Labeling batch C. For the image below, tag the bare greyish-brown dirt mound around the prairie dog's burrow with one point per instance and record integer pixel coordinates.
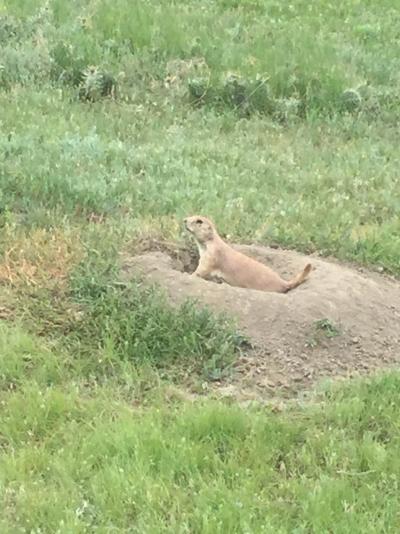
(340, 323)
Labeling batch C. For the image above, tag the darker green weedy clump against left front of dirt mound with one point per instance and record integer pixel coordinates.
(136, 323)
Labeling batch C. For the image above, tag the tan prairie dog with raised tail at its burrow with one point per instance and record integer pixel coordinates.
(218, 259)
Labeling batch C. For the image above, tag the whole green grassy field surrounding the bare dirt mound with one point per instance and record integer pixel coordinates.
(117, 119)
